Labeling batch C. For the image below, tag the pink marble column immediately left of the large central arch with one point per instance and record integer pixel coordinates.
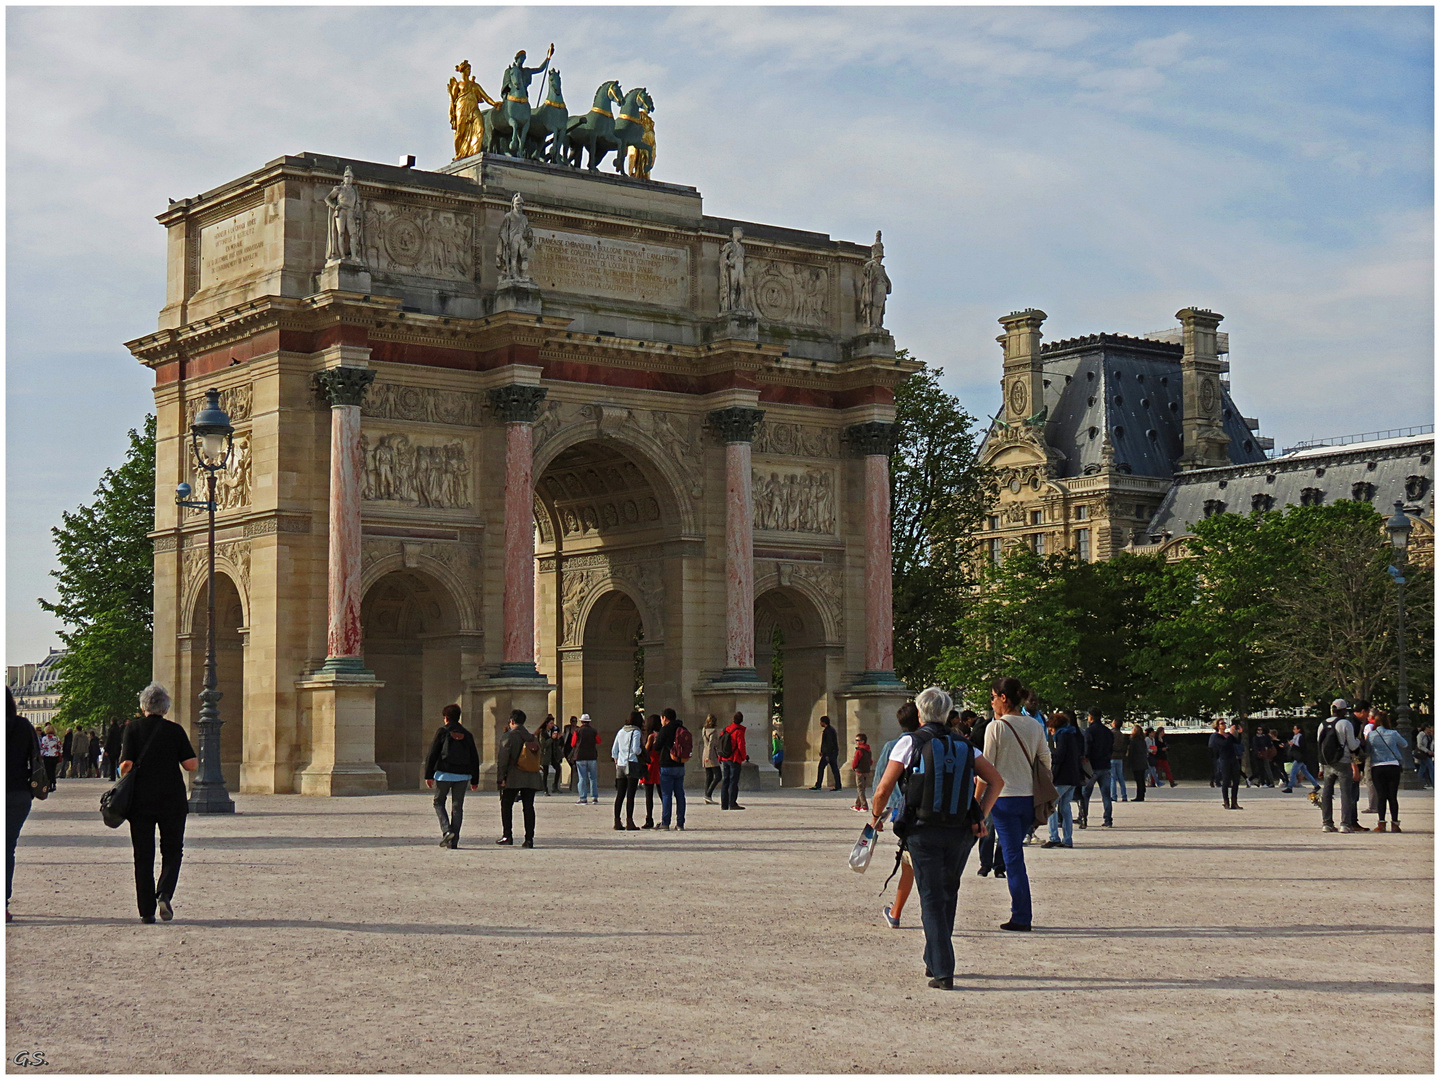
(519, 407)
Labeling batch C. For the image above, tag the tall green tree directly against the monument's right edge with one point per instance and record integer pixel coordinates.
(938, 496)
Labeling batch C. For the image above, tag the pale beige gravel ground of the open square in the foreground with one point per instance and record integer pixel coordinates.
(319, 935)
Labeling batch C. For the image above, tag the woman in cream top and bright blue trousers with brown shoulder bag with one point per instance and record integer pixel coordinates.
(1014, 744)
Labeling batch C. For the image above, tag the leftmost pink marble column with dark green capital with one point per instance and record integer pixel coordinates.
(345, 388)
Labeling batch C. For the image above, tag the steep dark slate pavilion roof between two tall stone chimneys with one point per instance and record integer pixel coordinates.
(1131, 388)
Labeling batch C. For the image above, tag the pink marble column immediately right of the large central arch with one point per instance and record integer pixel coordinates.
(738, 428)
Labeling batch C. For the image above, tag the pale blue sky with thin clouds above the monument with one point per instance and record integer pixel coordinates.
(1110, 166)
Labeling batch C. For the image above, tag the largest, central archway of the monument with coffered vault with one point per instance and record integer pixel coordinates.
(606, 526)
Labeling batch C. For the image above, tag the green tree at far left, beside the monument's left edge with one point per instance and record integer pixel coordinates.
(106, 590)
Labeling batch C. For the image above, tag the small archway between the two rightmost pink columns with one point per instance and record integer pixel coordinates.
(804, 660)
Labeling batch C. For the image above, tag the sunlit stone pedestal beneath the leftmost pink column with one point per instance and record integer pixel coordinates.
(342, 732)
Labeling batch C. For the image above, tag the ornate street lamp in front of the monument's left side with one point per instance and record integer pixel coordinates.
(211, 440)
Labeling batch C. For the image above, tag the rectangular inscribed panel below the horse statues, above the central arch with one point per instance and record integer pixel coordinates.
(618, 270)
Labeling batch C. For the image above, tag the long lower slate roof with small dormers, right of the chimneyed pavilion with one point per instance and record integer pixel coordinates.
(1376, 473)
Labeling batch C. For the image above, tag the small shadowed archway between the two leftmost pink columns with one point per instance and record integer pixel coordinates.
(411, 623)
